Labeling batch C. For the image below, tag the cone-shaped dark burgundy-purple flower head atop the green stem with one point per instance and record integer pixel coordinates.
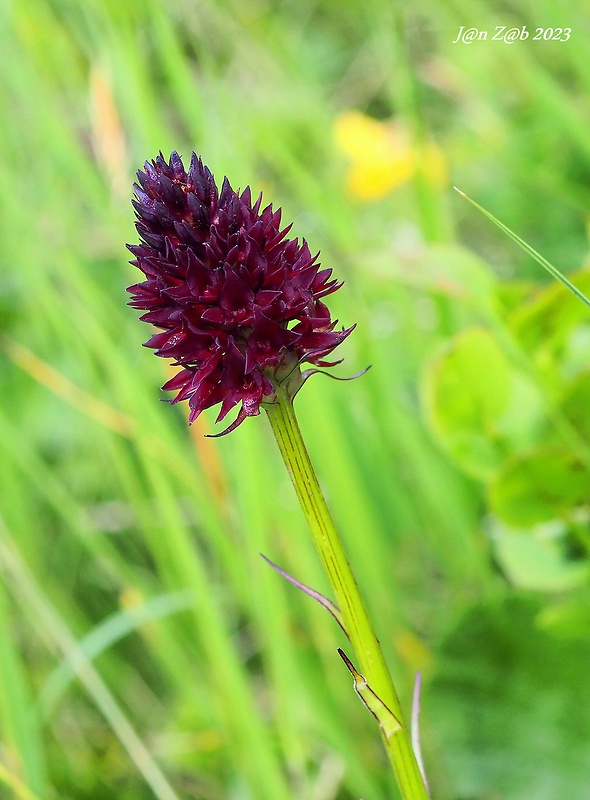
(239, 305)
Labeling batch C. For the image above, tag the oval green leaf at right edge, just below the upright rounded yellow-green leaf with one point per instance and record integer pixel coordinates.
(540, 485)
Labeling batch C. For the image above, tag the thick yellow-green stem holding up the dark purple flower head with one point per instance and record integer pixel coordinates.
(355, 617)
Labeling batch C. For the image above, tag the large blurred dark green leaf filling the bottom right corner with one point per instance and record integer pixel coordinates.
(509, 708)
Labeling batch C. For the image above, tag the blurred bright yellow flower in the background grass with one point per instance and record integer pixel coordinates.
(383, 155)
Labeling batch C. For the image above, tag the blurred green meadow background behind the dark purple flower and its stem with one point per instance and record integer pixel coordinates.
(146, 650)
